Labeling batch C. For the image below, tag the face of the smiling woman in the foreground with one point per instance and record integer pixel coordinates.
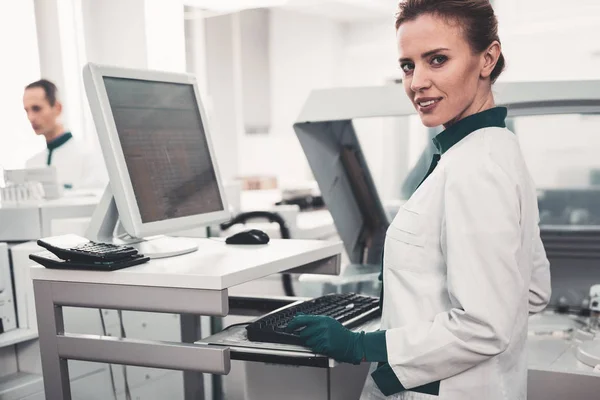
(442, 75)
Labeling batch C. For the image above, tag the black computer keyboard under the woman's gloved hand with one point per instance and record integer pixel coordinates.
(349, 309)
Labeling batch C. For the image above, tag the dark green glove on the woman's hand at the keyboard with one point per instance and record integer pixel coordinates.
(325, 335)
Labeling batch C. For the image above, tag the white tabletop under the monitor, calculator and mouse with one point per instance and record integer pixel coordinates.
(214, 266)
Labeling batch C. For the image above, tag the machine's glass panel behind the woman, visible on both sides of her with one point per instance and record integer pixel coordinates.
(561, 151)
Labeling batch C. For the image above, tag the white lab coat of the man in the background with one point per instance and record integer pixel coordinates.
(76, 165)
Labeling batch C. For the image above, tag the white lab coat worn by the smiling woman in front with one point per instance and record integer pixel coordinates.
(464, 266)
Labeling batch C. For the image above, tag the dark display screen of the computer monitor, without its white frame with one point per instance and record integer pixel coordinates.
(165, 148)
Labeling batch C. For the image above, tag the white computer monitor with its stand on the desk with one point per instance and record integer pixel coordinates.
(156, 144)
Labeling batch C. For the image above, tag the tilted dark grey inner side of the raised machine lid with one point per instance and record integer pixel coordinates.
(340, 168)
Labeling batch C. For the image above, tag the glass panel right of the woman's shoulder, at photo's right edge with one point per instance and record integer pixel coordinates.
(562, 153)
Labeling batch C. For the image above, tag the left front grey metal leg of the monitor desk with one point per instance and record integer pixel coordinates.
(50, 324)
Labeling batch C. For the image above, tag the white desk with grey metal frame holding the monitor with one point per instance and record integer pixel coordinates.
(192, 285)
